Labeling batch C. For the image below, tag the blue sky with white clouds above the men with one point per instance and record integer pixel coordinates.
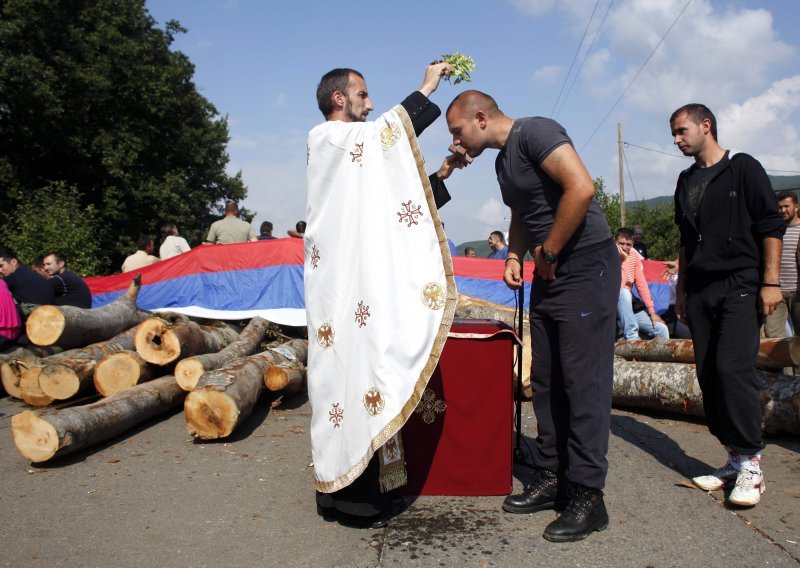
(259, 63)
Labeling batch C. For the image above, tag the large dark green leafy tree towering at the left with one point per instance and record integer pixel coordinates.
(92, 96)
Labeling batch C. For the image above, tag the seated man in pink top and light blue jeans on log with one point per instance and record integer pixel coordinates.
(633, 324)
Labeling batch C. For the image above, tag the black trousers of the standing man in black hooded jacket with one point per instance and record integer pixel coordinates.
(724, 319)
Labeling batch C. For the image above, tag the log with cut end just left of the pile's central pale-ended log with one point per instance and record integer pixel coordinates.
(71, 375)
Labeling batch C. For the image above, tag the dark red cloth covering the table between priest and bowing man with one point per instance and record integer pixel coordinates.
(459, 439)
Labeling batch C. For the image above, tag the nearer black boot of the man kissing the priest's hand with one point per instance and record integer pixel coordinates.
(585, 513)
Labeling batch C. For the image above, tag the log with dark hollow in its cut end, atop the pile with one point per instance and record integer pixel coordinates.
(160, 342)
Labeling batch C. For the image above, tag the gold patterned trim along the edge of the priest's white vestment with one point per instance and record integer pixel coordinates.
(449, 310)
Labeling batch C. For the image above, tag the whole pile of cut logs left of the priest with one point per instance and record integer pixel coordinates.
(144, 366)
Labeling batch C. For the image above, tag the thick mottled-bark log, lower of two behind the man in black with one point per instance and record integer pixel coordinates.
(673, 387)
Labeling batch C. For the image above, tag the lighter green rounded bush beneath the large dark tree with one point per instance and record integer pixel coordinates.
(51, 220)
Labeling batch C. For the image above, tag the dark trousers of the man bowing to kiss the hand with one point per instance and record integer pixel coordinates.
(573, 323)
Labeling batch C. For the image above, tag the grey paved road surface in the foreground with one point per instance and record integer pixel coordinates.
(157, 498)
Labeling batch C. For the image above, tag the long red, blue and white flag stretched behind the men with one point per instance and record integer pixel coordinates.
(265, 278)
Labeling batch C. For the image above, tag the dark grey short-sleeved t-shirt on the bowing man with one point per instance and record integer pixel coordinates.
(531, 193)
